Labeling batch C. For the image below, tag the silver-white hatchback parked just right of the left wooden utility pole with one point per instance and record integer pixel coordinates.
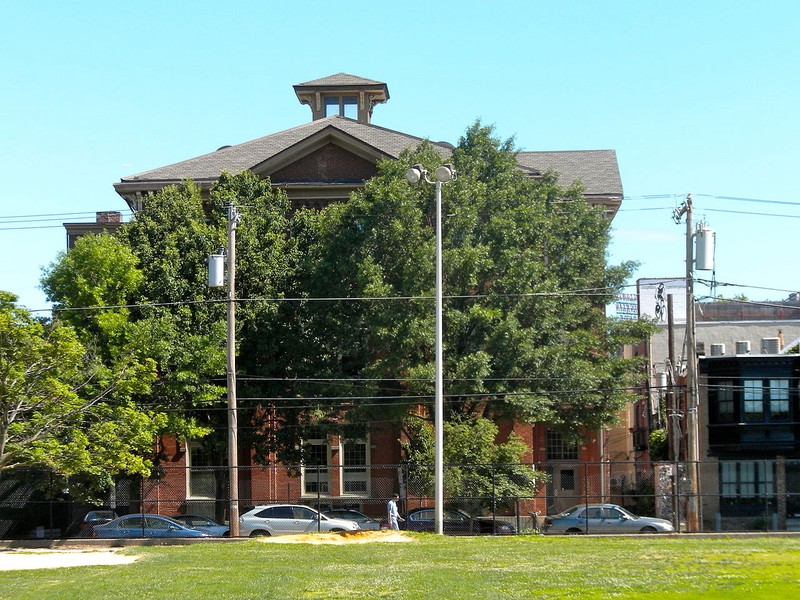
(286, 519)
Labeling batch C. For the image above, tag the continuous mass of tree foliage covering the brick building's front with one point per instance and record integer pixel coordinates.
(335, 307)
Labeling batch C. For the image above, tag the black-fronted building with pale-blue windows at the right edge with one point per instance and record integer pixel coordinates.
(750, 440)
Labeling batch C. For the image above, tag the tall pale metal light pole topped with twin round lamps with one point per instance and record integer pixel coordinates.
(444, 174)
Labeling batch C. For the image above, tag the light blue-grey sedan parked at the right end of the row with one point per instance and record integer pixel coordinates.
(603, 518)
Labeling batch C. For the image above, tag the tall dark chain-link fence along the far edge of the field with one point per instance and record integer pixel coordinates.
(712, 496)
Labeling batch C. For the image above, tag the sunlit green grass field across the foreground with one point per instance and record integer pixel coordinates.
(437, 567)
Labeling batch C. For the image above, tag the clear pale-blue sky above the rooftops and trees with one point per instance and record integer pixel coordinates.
(699, 97)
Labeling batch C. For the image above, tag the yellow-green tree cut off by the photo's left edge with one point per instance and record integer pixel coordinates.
(64, 412)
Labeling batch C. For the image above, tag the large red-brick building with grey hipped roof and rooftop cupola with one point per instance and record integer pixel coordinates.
(324, 161)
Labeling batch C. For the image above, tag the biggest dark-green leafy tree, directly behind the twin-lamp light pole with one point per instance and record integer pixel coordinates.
(526, 282)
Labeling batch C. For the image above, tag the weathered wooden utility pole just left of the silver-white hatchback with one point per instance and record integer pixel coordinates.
(233, 428)
